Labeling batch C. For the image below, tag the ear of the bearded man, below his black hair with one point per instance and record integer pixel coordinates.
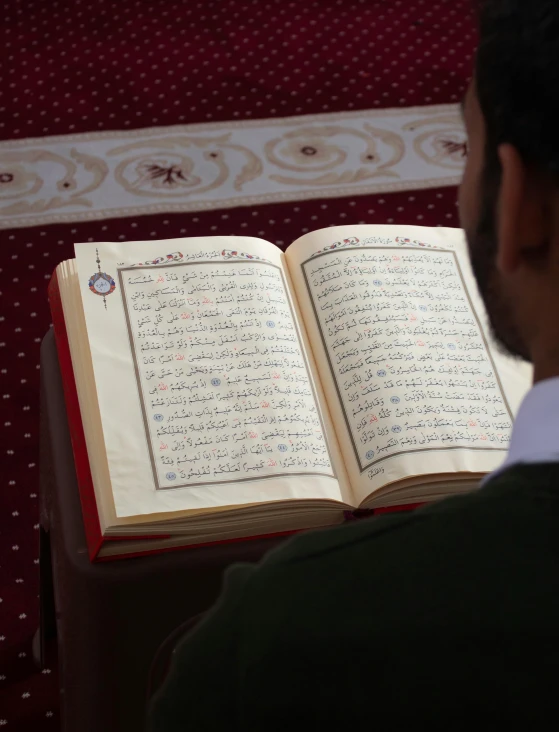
(520, 211)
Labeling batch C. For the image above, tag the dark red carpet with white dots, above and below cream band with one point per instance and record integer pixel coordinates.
(78, 67)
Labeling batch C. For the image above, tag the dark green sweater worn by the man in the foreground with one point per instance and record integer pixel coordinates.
(445, 618)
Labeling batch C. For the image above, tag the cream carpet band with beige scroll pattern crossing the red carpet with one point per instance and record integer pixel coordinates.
(212, 166)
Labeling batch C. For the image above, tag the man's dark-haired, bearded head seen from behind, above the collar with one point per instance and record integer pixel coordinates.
(509, 197)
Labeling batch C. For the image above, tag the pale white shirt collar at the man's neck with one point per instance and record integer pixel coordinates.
(535, 433)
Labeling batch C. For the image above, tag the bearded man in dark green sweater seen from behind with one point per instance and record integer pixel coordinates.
(448, 617)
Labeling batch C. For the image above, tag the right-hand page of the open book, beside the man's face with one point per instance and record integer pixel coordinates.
(415, 383)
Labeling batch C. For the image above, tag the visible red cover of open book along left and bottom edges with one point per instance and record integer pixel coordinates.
(90, 513)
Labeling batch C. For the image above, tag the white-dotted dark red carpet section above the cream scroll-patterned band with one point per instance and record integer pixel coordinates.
(97, 66)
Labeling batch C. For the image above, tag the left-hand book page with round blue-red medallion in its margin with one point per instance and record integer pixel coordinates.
(207, 396)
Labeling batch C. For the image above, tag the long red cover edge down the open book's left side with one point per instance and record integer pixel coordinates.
(90, 513)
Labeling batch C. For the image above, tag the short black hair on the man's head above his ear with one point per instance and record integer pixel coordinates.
(517, 79)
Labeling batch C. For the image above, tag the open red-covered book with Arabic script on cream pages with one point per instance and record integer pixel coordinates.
(226, 389)
